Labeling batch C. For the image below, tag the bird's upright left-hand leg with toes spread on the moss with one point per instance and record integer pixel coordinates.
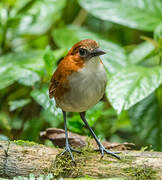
(68, 148)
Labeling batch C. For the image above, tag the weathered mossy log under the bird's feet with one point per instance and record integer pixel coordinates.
(21, 159)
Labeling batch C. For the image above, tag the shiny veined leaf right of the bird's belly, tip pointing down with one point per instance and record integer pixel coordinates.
(131, 85)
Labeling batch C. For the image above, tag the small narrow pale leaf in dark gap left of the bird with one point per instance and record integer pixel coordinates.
(18, 103)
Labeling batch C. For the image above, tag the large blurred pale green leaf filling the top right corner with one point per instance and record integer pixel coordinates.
(139, 14)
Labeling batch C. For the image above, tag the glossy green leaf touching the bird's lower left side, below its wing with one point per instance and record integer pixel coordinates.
(41, 96)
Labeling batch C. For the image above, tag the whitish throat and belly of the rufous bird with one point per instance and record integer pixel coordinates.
(86, 87)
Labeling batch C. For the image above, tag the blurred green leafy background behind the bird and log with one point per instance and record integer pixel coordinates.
(35, 34)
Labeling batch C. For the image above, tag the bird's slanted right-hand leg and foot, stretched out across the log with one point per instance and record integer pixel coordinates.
(101, 147)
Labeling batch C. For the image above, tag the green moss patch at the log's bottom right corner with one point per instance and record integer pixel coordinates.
(141, 172)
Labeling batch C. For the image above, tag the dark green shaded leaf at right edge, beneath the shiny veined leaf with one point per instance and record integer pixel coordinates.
(146, 119)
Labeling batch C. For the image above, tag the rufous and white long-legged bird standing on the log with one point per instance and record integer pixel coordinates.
(78, 84)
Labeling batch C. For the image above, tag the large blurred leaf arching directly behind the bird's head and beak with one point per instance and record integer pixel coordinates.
(115, 58)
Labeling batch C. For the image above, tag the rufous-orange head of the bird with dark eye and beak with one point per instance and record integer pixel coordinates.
(86, 49)
